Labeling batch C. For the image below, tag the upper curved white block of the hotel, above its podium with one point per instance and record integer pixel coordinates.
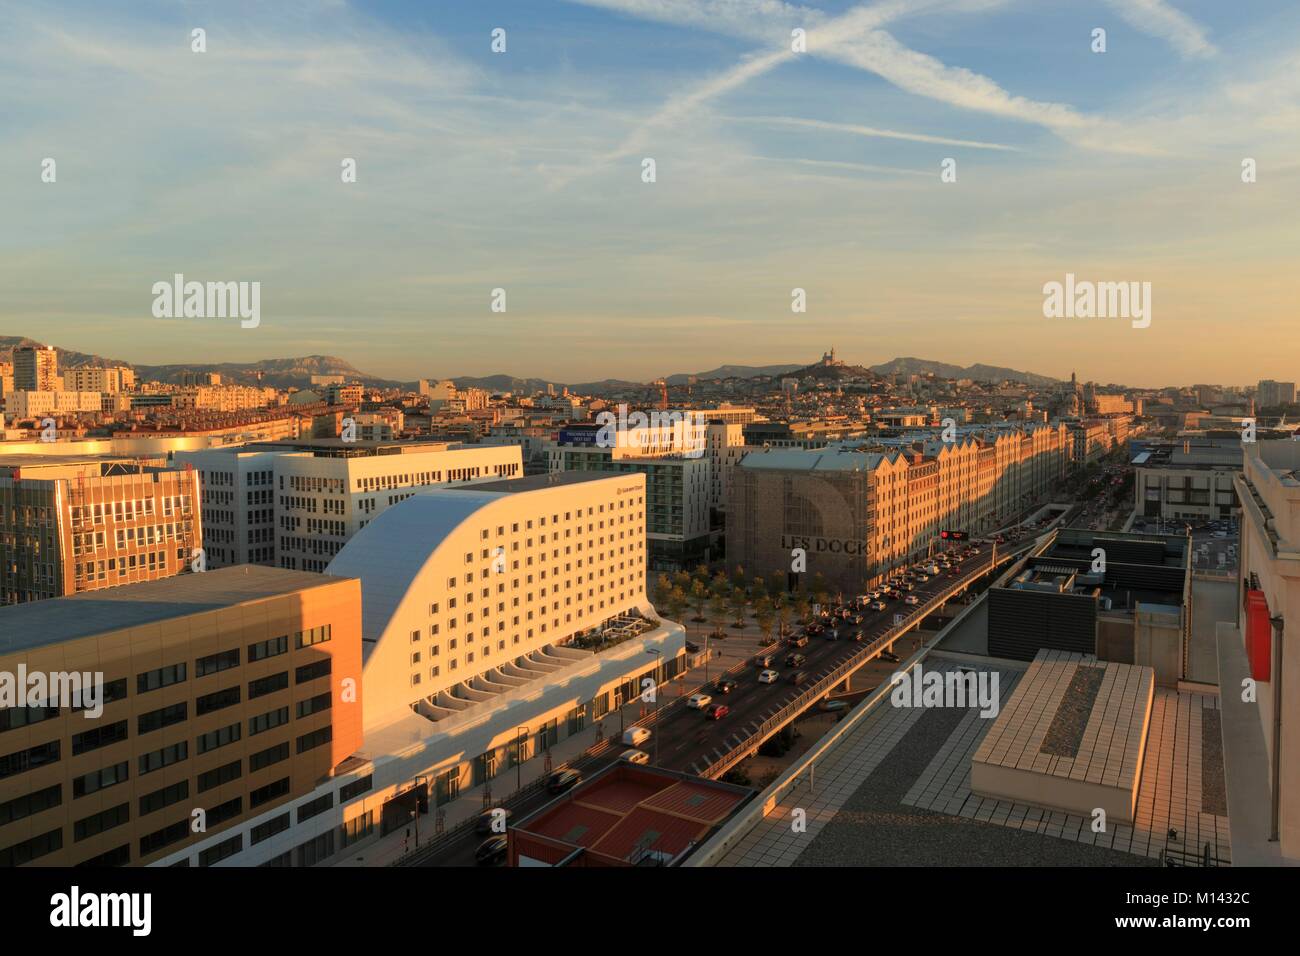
(470, 592)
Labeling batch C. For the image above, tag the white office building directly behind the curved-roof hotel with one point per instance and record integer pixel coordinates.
(297, 504)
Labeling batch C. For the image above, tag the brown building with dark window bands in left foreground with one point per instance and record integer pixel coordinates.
(222, 697)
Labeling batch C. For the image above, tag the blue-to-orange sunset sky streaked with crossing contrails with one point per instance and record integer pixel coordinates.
(774, 170)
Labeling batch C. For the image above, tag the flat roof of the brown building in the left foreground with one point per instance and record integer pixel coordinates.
(41, 624)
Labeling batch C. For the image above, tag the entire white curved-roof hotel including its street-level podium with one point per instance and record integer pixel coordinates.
(499, 620)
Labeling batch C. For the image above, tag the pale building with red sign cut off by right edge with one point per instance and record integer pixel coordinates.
(1260, 734)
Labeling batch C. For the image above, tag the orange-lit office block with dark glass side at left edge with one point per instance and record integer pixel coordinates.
(86, 525)
